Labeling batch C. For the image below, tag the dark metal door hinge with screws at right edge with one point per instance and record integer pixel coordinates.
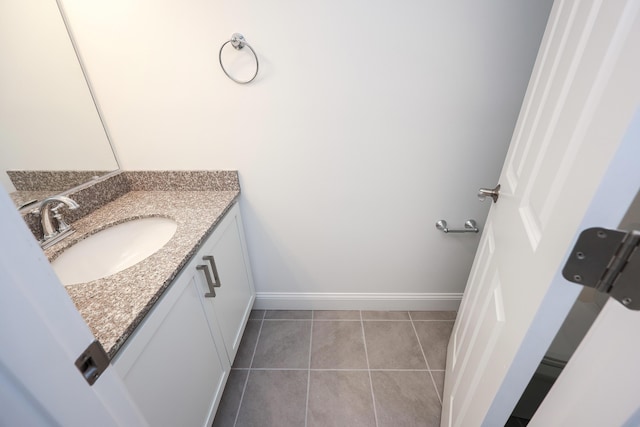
(607, 260)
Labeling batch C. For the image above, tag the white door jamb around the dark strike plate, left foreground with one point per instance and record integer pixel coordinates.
(42, 334)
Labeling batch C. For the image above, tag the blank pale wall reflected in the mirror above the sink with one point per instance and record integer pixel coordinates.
(47, 117)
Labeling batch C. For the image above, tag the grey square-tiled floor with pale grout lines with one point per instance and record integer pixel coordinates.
(338, 368)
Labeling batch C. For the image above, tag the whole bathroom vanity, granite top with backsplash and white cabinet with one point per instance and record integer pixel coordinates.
(172, 323)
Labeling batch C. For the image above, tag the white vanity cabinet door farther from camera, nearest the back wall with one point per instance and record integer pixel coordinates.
(234, 298)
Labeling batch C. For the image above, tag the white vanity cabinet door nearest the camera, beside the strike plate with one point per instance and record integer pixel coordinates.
(171, 365)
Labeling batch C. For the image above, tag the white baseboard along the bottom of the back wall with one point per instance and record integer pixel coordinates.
(357, 301)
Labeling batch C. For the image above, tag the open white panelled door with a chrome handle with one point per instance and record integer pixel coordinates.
(581, 99)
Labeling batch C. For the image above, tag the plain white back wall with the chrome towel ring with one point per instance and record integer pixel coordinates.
(368, 122)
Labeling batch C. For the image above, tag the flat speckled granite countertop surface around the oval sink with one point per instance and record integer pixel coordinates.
(113, 306)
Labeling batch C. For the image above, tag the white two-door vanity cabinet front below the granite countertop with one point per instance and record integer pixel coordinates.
(175, 365)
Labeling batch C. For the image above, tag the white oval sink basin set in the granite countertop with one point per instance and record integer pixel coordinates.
(113, 249)
